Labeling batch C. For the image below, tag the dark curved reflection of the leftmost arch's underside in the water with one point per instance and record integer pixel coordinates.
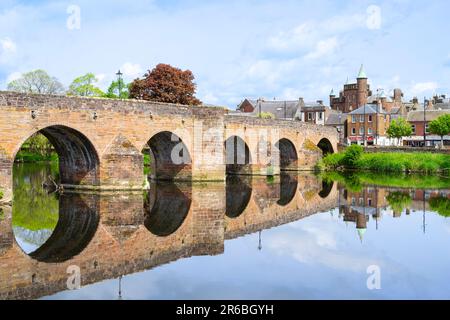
(77, 224)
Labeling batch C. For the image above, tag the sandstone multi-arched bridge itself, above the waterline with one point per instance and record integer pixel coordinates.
(100, 141)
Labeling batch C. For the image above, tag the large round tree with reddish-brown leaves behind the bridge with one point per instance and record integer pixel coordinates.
(166, 84)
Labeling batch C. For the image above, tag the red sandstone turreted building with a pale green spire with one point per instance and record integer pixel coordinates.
(356, 95)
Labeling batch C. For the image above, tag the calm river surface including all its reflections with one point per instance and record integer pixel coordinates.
(297, 236)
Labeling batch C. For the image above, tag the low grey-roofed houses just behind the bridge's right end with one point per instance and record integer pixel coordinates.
(312, 112)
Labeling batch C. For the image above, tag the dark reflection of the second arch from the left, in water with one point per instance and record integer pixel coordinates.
(166, 208)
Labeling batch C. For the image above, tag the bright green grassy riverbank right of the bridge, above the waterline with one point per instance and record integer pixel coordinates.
(354, 158)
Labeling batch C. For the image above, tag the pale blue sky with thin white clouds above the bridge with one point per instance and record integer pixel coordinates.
(236, 49)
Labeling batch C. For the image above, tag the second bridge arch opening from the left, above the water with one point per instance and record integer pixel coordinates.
(171, 157)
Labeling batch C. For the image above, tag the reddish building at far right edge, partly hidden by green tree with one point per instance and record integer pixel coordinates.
(420, 121)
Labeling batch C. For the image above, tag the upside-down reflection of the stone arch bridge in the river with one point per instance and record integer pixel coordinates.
(111, 235)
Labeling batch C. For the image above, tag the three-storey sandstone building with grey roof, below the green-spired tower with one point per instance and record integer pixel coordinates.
(367, 125)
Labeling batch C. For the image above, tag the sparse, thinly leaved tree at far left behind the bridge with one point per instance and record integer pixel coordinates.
(37, 81)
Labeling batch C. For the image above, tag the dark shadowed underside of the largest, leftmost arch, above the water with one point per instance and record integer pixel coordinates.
(78, 159)
